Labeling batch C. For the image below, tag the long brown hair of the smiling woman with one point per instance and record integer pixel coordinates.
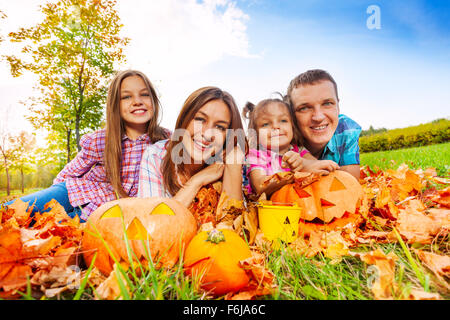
(193, 103)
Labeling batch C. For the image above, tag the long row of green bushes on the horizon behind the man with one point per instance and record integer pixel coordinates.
(425, 134)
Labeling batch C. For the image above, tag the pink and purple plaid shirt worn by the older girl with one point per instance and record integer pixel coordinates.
(85, 176)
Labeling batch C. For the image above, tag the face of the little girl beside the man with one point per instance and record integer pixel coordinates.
(274, 127)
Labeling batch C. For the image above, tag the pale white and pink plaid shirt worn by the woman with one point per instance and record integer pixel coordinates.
(150, 176)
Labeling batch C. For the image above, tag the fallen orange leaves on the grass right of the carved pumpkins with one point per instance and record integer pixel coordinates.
(400, 205)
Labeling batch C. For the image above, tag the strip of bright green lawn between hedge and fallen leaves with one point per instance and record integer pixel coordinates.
(436, 156)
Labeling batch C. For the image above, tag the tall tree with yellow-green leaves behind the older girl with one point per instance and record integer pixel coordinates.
(74, 52)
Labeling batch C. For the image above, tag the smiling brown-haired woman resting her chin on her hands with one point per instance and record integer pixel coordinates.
(200, 152)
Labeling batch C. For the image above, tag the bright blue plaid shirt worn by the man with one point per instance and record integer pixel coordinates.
(343, 148)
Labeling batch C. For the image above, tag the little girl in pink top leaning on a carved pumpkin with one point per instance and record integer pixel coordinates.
(273, 147)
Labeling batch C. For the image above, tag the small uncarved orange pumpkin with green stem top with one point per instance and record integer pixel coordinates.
(214, 257)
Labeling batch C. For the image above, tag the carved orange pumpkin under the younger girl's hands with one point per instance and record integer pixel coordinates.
(326, 199)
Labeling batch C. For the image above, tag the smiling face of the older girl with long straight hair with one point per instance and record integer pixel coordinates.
(136, 108)
